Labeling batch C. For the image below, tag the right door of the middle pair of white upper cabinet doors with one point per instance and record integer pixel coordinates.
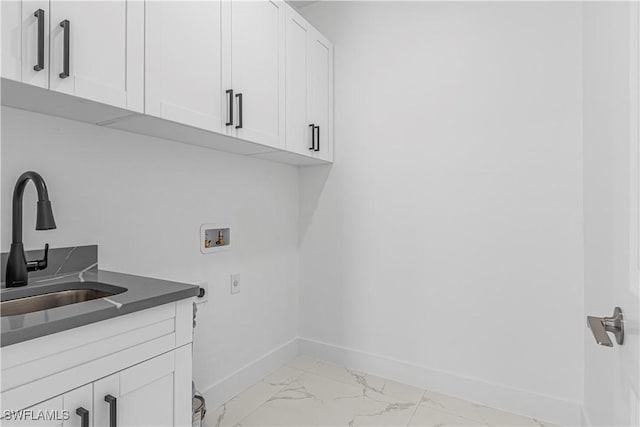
(256, 70)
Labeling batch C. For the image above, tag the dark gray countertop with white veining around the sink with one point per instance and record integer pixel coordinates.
(142, 293)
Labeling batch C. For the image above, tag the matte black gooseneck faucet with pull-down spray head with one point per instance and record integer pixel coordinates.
(17, 265)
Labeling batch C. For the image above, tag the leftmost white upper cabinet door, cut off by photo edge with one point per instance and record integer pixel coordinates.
(25, 41)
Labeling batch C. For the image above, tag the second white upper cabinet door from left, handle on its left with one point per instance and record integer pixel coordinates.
(97, 51)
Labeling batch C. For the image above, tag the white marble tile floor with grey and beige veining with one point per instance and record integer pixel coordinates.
(309, 392)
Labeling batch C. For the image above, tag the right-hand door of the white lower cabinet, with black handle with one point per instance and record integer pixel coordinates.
(142, 395)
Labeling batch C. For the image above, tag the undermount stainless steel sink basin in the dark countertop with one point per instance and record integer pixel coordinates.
(25, 300)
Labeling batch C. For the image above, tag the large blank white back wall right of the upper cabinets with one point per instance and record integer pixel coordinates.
(447, 236)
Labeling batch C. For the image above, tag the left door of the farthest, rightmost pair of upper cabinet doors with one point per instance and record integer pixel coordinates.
(299, 129)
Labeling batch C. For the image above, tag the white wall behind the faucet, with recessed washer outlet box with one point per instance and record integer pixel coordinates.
(143, 199)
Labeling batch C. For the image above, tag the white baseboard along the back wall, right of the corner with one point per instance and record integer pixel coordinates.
(547, 408)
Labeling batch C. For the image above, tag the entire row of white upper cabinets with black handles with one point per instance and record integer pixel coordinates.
(245, 76)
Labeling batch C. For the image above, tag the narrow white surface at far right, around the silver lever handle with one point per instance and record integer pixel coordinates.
(606, 186)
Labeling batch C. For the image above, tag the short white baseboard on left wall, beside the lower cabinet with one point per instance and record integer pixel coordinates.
(220, 392)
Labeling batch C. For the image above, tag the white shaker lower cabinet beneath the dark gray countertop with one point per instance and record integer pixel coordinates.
(134, 370)
